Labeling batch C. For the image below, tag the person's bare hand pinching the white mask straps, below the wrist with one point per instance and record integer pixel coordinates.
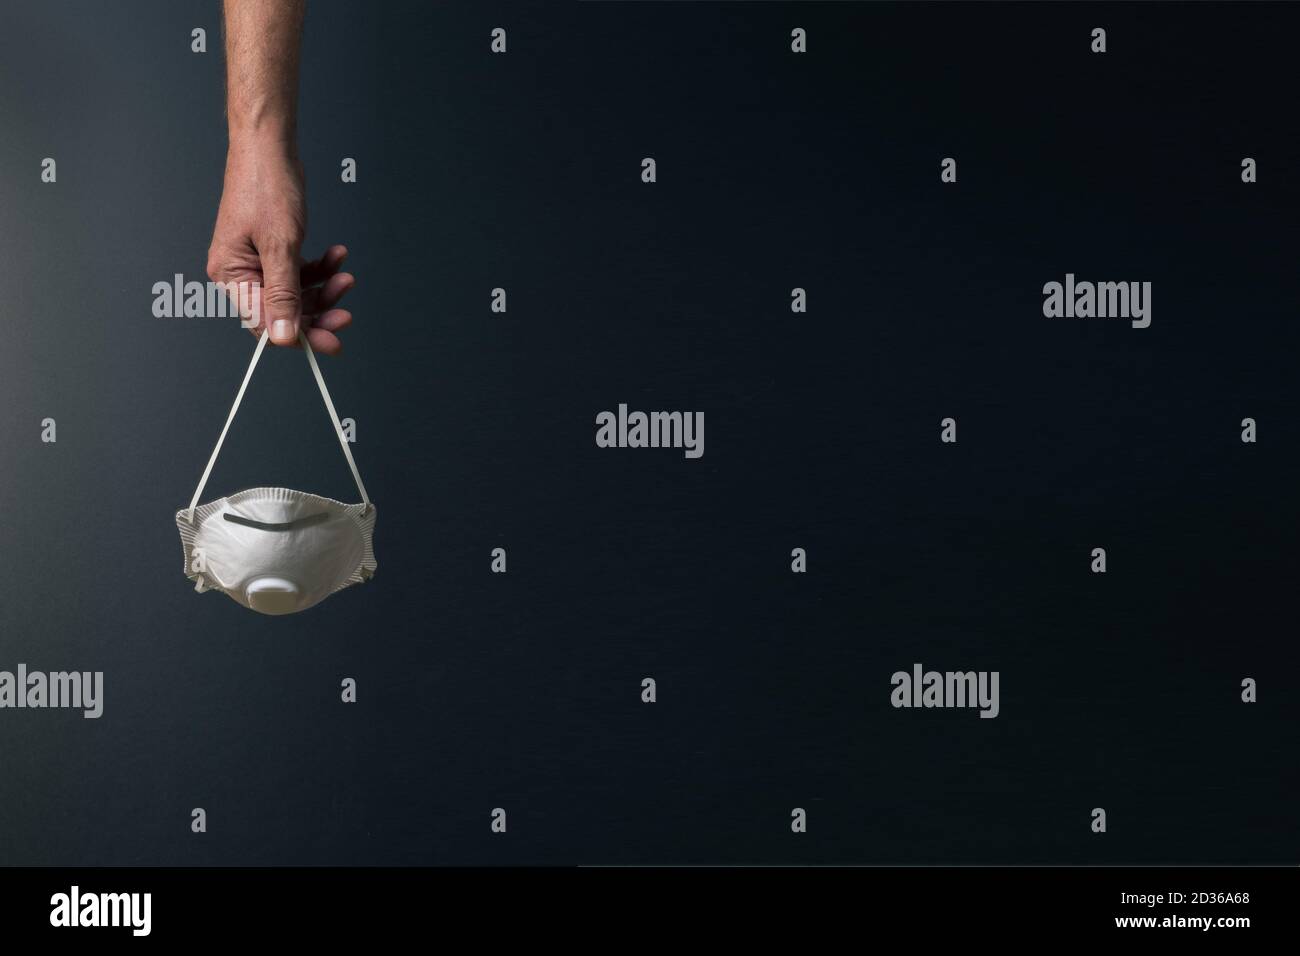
(258, 239)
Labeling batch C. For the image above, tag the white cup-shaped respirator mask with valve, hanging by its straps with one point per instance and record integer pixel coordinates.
(272, 550)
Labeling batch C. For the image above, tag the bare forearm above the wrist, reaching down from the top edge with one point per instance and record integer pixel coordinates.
(262, 71)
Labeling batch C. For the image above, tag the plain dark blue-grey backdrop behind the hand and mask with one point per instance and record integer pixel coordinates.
(476, 431)
